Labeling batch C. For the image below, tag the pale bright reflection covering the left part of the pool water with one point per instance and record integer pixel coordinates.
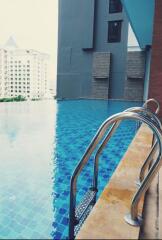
(27, 135)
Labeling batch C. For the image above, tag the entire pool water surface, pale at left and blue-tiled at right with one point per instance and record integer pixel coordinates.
(41, 143)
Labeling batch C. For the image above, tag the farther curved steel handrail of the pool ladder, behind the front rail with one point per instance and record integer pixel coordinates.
(148, 113)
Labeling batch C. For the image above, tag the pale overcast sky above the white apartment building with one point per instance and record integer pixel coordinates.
(33, 24)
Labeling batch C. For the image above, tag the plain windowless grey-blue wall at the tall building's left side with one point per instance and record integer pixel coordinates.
(76, 22)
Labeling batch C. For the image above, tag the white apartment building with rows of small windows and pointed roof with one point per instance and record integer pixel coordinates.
(23, 72)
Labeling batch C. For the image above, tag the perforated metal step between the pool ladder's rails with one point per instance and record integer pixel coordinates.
(85, 203)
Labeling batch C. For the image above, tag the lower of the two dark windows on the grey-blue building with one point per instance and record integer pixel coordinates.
(114, 31)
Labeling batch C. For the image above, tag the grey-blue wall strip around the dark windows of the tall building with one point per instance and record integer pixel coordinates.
(118, 50)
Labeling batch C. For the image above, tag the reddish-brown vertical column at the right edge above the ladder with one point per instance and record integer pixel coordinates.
(155, 86)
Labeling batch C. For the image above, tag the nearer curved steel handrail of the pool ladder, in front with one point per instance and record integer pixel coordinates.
(99, 135)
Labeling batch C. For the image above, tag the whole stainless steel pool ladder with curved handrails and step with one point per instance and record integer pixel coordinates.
(78, 214)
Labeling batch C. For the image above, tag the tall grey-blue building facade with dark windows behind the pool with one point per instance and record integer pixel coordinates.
(92, 49)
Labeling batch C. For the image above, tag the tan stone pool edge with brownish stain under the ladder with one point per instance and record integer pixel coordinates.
(106, 221)
